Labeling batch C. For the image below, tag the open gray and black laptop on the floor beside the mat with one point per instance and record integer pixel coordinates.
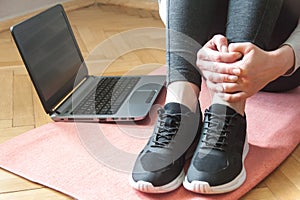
(60, 76)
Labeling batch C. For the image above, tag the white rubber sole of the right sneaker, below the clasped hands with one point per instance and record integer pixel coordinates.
(203, 187)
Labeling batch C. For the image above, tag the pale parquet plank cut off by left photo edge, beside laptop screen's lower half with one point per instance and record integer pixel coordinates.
(6, 88)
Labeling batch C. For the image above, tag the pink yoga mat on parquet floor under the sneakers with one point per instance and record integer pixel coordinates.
(93, 161)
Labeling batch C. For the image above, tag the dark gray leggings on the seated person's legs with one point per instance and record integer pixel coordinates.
(191, 23)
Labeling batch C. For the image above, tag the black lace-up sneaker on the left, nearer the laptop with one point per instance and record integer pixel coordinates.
(159, 166)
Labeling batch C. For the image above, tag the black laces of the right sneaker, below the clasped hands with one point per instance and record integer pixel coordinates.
(215, 134)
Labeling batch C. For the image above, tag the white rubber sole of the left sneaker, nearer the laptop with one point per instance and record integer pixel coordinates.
(147, 187)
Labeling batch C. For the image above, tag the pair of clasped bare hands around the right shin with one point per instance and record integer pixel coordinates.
(237, 71)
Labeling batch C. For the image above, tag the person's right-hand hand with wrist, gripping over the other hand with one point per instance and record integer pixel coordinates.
(258, 68)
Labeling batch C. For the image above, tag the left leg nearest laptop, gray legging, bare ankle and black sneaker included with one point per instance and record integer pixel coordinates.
(159, 167)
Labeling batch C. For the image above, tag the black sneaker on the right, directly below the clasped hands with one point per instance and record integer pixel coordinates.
(218, 163)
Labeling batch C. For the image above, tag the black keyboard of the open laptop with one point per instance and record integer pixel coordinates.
(107, 97)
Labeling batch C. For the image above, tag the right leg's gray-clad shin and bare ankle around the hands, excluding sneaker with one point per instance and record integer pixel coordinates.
(250, 21)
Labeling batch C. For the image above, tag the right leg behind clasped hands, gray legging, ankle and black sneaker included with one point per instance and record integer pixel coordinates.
(218, 163)
